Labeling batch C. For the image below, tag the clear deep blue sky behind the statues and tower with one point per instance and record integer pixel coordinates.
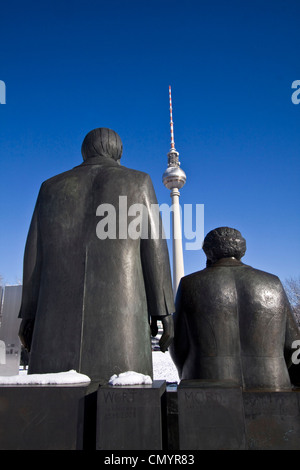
(71, 66)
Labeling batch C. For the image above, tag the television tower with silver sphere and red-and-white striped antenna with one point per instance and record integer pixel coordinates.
(174, 179)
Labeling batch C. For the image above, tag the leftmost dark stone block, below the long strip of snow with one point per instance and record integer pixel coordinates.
(41, 417)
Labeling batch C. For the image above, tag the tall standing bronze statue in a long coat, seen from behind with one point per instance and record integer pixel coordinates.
(88, 300)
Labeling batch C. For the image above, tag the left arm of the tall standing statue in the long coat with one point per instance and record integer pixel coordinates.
(31, 280)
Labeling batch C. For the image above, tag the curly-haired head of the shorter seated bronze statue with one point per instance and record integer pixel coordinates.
(223, 242)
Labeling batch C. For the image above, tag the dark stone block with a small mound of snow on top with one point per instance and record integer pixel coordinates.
(130, 417)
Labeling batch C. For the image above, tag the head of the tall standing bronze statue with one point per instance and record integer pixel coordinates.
(102, 142)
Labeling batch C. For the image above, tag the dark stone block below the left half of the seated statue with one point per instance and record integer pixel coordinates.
(210, 415)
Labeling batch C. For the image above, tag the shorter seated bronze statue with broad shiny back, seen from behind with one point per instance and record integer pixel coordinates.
(234, 322)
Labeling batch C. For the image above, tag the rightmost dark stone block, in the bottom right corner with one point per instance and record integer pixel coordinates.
(272, 420)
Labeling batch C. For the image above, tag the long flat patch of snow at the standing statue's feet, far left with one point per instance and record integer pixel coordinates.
(59, 378)
